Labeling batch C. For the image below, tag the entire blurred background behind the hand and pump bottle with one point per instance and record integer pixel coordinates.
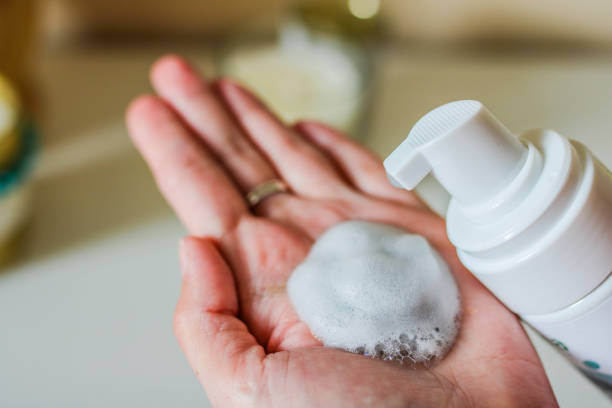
(89, 274)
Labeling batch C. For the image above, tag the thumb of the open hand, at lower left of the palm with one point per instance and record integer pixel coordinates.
(219, 347)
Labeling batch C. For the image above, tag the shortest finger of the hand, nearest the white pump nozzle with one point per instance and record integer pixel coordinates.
(359, 165)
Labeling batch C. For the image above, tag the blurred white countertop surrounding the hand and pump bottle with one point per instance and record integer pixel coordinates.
(87, 309)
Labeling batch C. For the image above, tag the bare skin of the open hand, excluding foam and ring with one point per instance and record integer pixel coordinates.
(207, 144)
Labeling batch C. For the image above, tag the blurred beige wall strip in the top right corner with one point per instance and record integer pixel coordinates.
(586, 20)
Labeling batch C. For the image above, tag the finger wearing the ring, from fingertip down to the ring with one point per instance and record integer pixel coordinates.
(193, 98)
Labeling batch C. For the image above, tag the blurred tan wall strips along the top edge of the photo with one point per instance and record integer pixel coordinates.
(410, 19)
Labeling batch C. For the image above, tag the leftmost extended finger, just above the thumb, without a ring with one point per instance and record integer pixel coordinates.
(192, 182)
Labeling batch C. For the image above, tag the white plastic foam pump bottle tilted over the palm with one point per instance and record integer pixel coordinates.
(531, 218)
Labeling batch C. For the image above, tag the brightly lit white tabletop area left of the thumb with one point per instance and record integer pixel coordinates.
(91, 326)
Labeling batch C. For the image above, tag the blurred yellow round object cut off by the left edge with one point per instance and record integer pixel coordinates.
(10, 112)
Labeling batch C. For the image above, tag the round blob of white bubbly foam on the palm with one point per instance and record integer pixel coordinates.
(374, 289)
